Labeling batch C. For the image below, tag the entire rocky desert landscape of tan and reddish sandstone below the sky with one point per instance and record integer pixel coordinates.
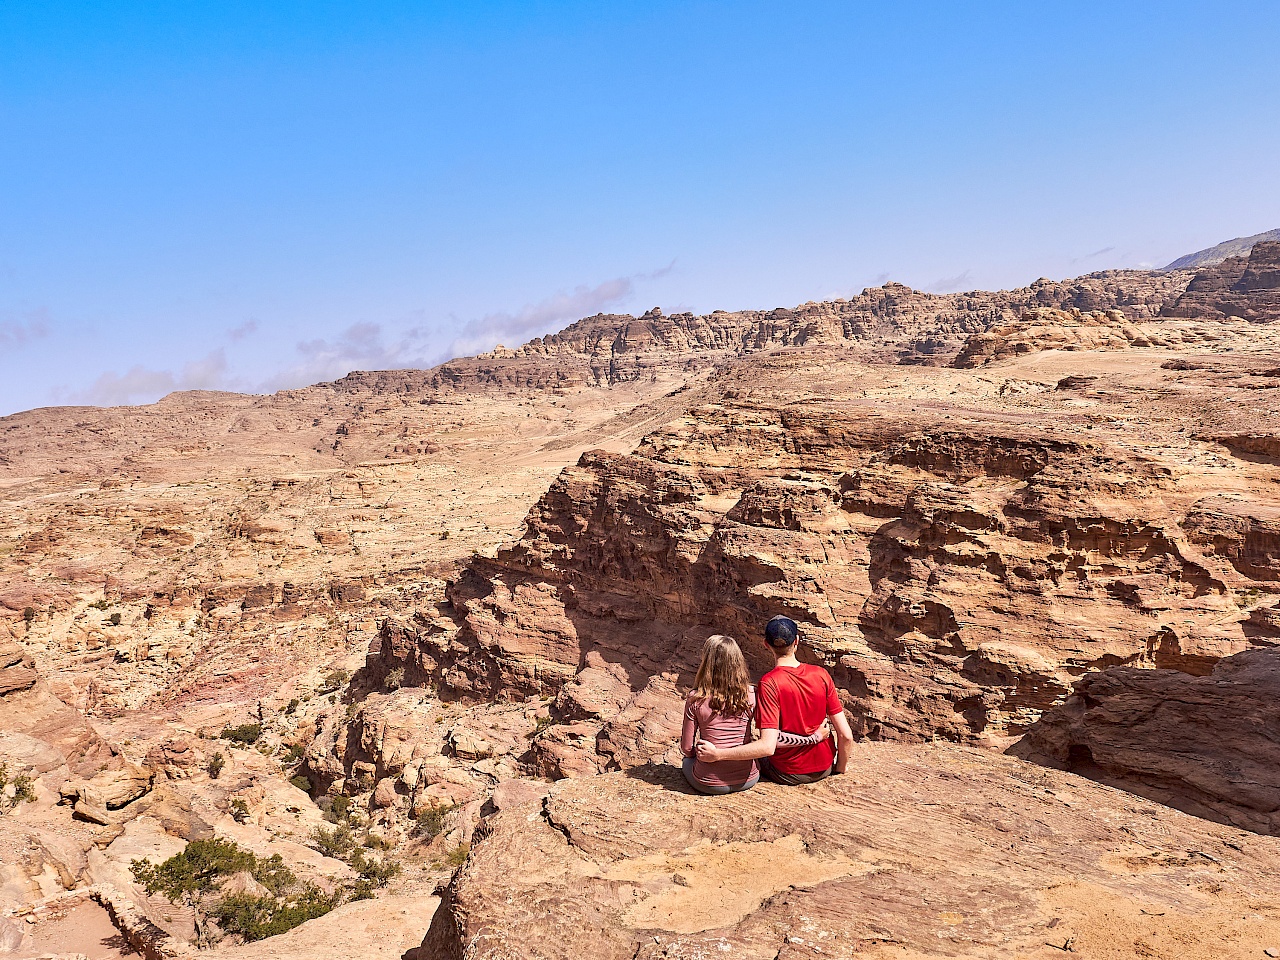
(395, 666)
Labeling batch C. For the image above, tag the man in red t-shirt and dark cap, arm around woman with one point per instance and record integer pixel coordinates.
(796, 697)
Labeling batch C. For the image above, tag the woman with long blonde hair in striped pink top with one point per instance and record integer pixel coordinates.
(719, 711)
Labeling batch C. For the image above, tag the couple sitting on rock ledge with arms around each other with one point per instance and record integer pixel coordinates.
(796, 710)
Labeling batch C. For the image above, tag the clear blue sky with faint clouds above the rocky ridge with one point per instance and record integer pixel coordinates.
(254, 196)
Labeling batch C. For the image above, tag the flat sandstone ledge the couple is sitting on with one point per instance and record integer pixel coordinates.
(924, 852)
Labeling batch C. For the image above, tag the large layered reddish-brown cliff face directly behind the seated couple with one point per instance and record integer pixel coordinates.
(958, 547)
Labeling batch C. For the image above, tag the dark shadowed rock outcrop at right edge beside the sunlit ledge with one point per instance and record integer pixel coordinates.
(1208, 746)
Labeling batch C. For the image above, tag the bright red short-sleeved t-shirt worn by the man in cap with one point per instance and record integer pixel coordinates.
(797, 700)
